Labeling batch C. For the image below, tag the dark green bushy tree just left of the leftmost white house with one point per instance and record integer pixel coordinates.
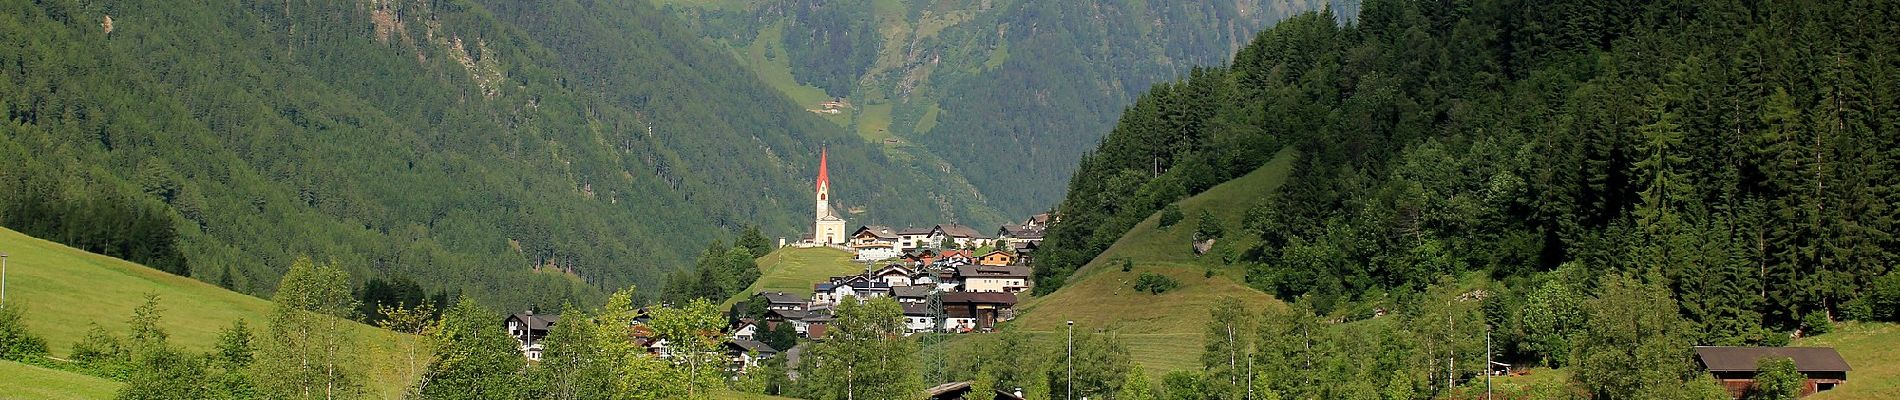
(472, 357)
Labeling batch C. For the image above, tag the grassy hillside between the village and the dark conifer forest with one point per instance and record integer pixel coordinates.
(1164, 333)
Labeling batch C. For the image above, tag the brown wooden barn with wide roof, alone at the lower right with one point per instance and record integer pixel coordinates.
(1736, 367)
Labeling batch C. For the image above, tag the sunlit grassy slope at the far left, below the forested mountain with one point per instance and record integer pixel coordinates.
(66, 291)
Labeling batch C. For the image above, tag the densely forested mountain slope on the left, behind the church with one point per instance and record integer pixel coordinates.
(516, 158)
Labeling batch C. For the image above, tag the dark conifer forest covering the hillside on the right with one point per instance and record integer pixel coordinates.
(1734, 160)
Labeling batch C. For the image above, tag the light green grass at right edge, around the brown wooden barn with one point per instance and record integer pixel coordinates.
(1874, 355)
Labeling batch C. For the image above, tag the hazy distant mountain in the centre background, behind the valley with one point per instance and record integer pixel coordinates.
(1012, 94)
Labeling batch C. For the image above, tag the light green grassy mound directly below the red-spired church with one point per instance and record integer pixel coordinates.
(795, 270)
